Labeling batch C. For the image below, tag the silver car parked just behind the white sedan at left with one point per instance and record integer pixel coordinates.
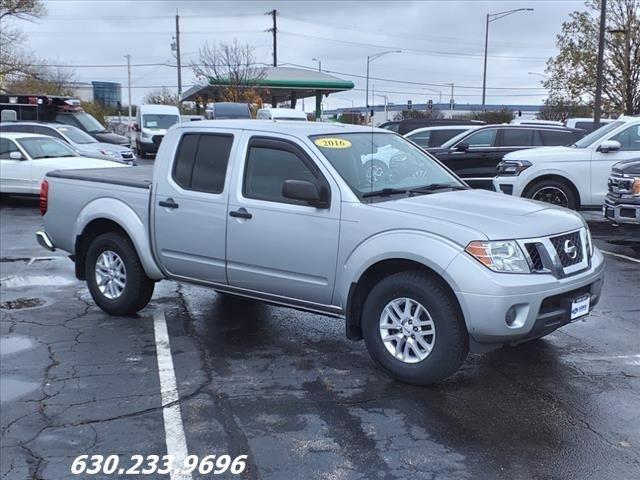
(81, 142)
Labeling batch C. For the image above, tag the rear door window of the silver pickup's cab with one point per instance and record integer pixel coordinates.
(201, 162)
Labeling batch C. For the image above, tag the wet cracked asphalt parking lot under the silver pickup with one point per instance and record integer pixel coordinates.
(288, 390)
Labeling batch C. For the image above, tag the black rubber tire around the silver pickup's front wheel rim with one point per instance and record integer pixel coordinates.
(449, 343)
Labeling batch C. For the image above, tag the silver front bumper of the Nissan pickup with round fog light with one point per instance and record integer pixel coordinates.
(542, 302)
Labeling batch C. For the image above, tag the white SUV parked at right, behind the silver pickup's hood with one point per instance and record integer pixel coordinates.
(574, 176)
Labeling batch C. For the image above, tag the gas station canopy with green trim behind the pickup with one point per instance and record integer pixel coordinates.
(279, 84)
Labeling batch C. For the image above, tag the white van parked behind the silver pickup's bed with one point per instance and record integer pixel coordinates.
(152, 122)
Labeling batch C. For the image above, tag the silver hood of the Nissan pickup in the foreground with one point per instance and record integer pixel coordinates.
(492, 215)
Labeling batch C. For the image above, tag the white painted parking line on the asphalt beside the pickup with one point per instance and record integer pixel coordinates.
(173, 428)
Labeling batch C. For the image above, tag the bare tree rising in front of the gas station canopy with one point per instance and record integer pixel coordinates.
(233, 67)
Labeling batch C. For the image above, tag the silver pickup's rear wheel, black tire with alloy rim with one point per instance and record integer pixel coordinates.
(137, 289)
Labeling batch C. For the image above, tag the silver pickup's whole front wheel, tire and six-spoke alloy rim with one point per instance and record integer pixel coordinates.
(413, 328)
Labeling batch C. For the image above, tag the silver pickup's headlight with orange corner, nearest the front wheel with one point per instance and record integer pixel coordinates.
(504, 256)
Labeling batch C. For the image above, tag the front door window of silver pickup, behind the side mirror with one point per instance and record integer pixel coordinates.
(267, 169)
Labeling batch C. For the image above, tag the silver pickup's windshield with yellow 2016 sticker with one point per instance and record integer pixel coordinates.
(383, 164)
